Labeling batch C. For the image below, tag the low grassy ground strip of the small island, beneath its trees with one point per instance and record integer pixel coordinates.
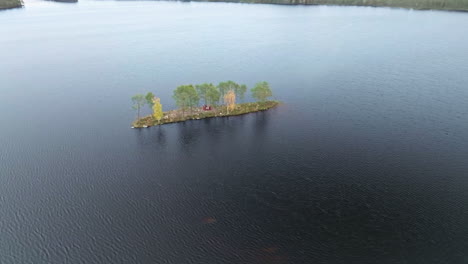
(177, 115)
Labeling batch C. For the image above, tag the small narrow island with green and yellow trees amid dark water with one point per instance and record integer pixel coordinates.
(188, 98)
